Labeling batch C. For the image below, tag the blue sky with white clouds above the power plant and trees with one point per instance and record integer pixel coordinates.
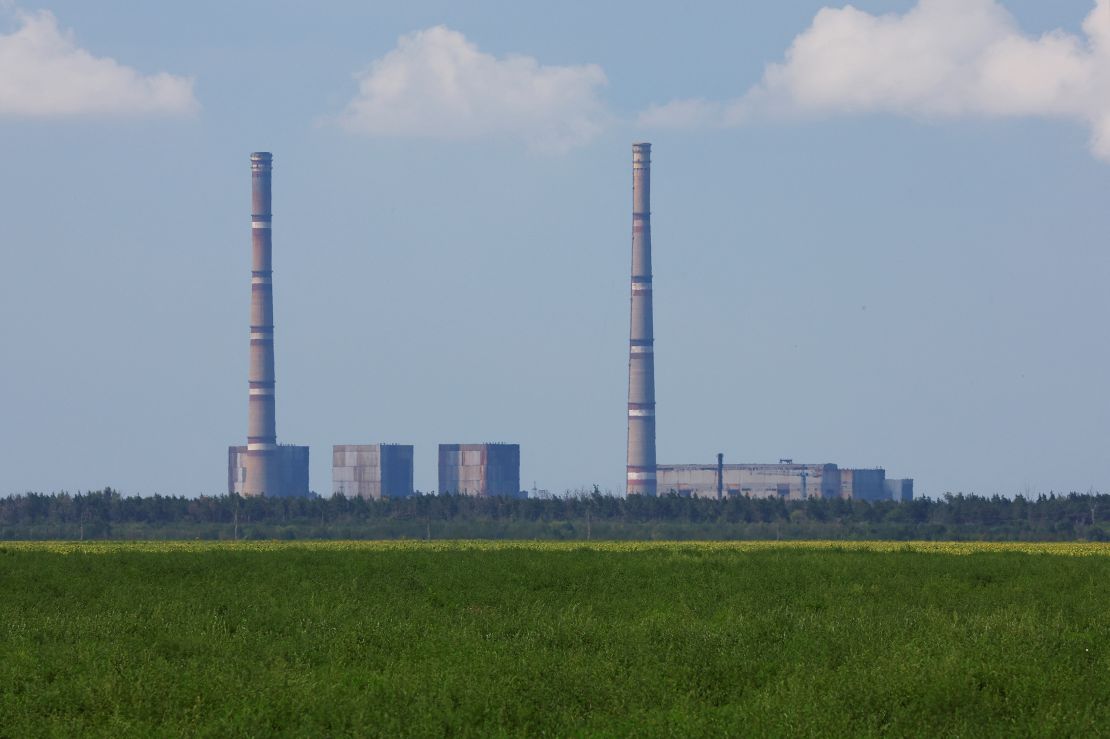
(880, 236)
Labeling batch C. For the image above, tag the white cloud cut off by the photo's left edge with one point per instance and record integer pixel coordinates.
(44, 74)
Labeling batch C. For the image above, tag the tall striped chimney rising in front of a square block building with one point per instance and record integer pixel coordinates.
(264, 474)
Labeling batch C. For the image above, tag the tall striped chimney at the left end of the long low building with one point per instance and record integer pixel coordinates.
(641, 347)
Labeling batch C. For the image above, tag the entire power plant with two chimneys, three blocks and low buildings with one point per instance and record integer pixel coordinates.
(385, 471)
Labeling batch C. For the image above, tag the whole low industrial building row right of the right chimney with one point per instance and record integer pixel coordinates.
(785, 480)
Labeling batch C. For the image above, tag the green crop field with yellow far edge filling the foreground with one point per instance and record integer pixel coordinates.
(532, 640)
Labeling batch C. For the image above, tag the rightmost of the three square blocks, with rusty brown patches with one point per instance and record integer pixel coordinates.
(481, 470)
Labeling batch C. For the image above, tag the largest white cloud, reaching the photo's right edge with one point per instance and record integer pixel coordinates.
(943, 59)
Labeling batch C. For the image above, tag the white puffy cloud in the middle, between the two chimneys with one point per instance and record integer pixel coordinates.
(438, 85)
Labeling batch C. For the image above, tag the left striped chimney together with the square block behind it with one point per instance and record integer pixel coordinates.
(264, 468)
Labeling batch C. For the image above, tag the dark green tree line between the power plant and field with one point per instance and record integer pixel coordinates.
(108, 515)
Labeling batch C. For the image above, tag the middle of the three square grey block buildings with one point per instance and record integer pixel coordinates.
(372, 471)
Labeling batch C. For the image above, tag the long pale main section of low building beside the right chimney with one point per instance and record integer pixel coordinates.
(789, 481)
